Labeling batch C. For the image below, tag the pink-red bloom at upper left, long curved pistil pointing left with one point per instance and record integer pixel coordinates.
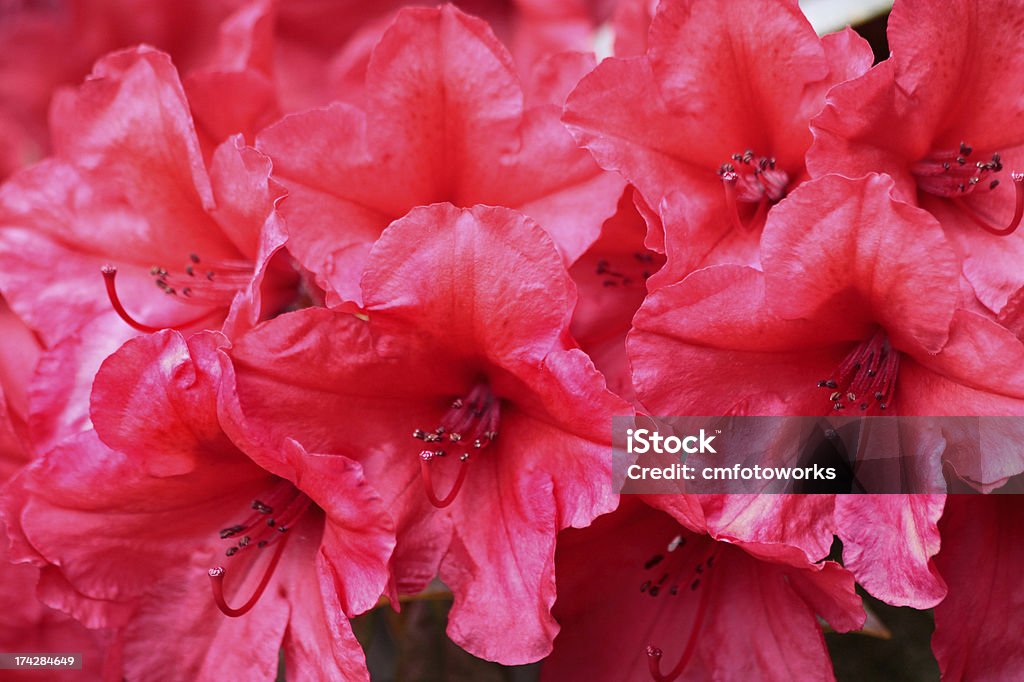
(129, 188)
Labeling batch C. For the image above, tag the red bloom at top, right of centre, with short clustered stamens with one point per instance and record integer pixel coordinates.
(714, 134)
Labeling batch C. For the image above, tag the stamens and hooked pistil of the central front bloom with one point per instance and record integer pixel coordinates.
(470, 425)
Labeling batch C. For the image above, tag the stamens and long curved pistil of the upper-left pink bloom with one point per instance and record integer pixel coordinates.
(210, 285)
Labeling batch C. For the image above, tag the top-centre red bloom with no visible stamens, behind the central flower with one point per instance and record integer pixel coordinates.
(352, 173)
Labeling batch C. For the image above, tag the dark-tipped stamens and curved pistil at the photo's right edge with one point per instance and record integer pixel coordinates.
(953, 176)
